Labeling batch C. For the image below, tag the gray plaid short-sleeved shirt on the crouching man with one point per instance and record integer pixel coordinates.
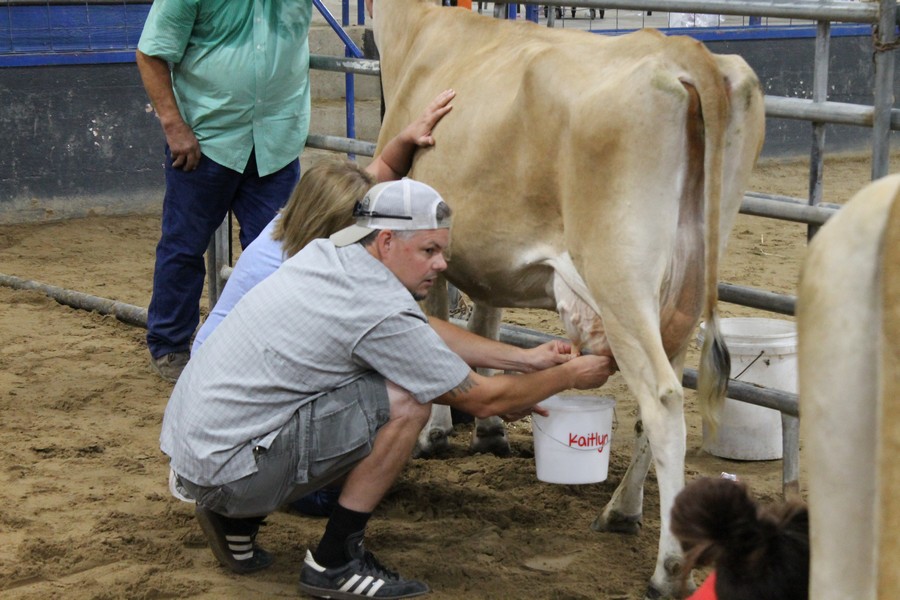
(323, 319)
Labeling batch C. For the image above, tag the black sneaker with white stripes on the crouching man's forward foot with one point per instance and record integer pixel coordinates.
(362, 577)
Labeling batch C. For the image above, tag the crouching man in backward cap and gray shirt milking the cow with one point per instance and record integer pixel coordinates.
(327, 370)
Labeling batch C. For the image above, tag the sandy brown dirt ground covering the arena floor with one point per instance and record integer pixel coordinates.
(86, 513)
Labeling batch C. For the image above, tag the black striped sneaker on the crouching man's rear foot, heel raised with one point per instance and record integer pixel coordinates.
(233, 541)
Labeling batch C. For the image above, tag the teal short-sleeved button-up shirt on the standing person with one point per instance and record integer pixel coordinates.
(240, 71)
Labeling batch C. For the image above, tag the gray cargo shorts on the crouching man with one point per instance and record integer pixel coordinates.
(322, 442)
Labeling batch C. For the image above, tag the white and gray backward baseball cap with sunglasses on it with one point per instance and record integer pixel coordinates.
(403, 204)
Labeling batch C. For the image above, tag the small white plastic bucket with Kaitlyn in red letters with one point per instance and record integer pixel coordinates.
(572, 444)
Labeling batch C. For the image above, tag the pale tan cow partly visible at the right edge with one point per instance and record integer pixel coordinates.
(848, 316)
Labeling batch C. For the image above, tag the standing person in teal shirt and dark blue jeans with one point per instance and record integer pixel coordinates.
(230, 84)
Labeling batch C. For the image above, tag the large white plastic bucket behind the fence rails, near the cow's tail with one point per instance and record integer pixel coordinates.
(764, 352)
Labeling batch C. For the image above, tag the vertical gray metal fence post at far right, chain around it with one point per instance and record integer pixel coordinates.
(884, 87)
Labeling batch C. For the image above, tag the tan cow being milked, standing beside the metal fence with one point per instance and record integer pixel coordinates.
(582, 170)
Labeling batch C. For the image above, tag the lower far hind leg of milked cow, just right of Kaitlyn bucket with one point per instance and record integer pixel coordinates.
(624, 511)
